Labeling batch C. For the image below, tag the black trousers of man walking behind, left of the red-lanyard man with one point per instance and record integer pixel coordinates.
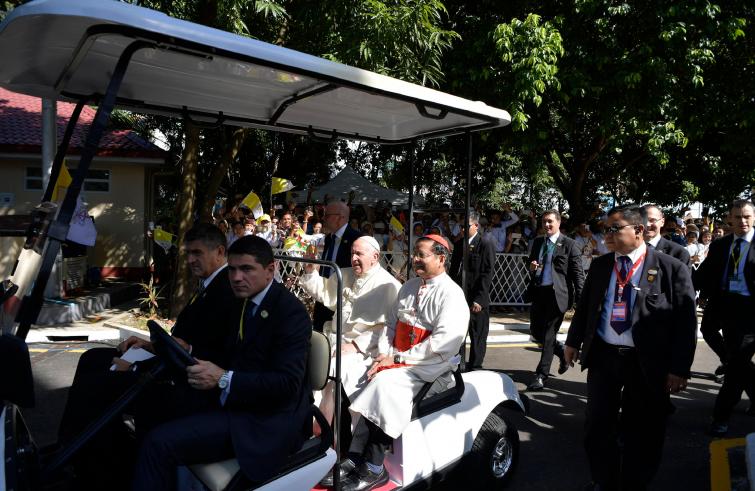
(545, 320)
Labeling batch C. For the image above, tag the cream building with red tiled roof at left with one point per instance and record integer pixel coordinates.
(116, 190)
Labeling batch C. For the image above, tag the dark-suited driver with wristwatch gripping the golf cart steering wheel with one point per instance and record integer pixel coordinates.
(263, 398)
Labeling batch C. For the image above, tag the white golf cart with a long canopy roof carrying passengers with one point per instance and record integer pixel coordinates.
(115, 54)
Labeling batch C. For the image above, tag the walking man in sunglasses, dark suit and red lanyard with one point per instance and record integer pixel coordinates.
(636, 327)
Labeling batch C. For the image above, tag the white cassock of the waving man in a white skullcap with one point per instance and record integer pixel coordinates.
(366, 301)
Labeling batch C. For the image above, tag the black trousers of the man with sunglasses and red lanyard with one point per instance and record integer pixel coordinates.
(625, 423)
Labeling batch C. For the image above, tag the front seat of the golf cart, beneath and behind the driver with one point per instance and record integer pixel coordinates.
(227, 475)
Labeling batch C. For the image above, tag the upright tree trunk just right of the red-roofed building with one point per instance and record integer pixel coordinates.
(182, 284)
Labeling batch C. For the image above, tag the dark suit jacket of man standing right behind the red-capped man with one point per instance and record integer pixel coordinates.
(479, 268)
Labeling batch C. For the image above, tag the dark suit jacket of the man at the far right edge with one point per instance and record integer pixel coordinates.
(709, 276)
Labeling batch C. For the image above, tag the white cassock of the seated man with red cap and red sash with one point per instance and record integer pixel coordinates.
(437, 306)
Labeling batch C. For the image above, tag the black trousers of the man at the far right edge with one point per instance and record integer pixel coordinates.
(739, 336)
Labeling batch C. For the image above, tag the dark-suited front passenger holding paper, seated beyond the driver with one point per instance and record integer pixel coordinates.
(202, 327)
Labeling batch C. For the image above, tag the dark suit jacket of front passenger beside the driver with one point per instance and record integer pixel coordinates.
(206, 322)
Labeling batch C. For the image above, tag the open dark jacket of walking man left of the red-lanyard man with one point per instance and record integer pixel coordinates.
(568, 275)
